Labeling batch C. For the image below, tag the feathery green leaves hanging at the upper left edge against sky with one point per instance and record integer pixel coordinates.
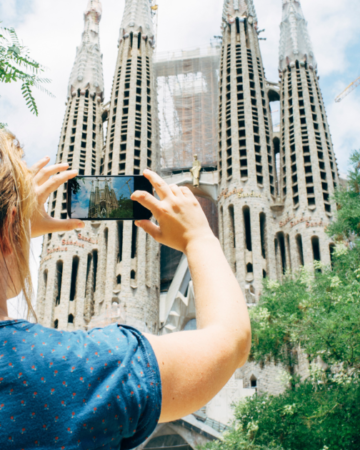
(17, 65)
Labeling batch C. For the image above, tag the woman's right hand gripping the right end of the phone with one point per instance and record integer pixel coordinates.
(180, 216)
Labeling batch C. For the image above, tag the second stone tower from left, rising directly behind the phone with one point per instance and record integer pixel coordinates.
(132, 145)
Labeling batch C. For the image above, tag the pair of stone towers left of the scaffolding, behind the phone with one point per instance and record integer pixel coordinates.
(109, 264)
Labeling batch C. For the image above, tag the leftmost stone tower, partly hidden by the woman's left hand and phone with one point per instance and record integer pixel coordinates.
(67, 276)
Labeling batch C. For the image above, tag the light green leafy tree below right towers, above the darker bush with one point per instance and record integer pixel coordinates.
(306, 310)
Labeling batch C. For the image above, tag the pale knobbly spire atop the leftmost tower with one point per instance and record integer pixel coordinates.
(87, 72)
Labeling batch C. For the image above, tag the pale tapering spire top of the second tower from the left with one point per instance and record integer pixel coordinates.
(137, 18)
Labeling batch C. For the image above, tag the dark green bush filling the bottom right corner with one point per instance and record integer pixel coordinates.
(312, 417)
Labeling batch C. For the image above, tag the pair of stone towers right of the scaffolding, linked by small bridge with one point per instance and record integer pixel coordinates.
(272, 216)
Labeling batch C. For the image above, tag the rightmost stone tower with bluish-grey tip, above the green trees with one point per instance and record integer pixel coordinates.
(308, 170)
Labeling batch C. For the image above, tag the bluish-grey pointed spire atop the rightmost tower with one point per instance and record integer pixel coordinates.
(295, 41)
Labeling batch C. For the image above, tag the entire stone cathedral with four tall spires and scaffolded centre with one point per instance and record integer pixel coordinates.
(266, 190)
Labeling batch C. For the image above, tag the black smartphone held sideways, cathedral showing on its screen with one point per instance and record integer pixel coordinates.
(106, 197)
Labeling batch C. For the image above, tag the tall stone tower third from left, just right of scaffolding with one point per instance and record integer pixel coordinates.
(247, 178)
